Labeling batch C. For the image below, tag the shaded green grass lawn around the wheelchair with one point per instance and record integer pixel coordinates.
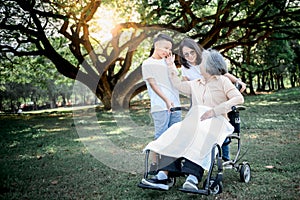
(96, 154)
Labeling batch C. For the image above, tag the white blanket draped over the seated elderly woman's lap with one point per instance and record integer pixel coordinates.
(191, 138)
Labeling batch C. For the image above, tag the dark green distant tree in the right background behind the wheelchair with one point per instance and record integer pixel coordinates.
(271, 63)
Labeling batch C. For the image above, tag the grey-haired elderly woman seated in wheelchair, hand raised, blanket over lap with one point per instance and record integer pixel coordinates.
(187, 148)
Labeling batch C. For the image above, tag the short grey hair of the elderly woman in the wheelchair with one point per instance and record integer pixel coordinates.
(214, 62)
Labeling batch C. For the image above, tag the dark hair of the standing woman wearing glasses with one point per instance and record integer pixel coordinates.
(187, 42)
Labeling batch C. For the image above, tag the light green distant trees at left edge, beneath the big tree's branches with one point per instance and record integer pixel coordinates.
(31, 79)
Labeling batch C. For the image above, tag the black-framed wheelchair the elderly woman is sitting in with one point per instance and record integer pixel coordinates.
(213, 178)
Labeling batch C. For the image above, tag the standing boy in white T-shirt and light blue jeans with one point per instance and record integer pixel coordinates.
(163, 95)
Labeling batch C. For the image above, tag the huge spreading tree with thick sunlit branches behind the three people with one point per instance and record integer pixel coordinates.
(110, 66)
